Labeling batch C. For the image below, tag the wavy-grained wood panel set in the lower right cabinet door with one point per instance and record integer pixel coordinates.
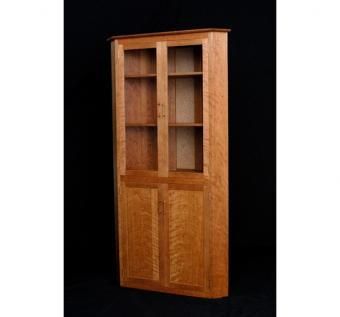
(186, 237)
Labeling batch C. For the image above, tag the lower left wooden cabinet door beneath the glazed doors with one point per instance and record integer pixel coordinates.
(140, 233)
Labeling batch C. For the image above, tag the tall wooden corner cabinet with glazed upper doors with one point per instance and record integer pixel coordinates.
(170, 115)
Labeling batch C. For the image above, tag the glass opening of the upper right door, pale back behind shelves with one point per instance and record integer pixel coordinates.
(185, 104)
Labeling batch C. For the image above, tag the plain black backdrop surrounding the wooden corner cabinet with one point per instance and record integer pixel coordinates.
(90, 286)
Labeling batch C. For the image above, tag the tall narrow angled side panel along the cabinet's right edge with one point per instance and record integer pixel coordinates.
(218, 163)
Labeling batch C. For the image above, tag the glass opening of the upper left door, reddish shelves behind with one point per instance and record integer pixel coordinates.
(140, 109)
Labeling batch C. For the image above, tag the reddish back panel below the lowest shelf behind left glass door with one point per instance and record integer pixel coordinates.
(141, 148)
